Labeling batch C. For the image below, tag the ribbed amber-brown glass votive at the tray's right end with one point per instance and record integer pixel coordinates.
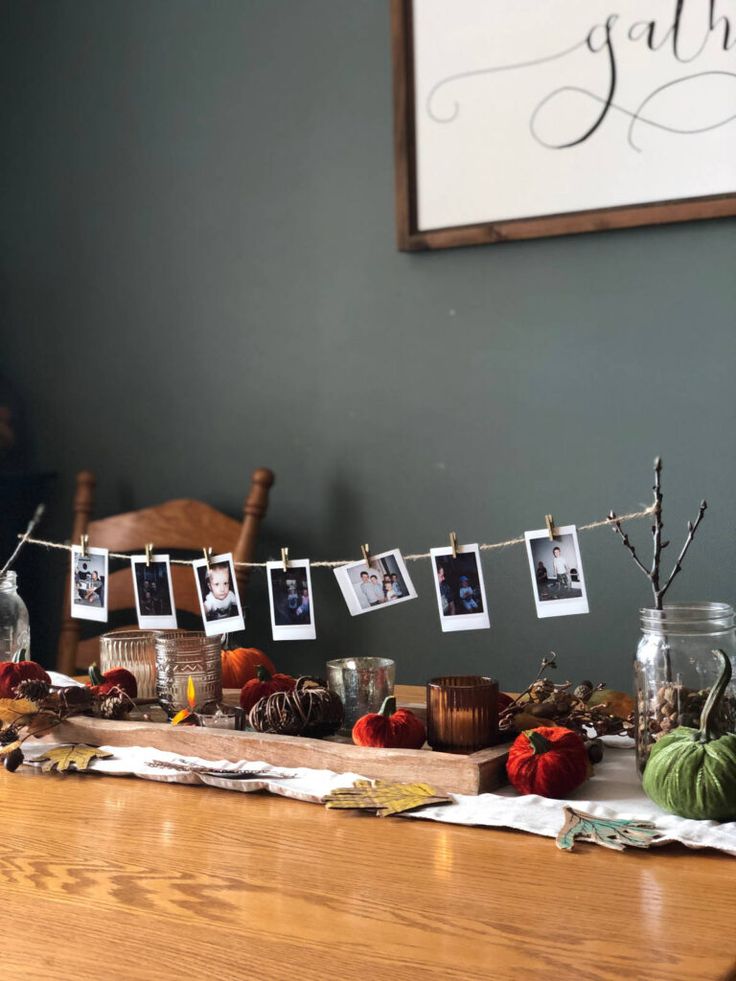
(462, 713)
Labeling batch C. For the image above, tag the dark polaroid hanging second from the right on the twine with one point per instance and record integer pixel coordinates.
(461, 593)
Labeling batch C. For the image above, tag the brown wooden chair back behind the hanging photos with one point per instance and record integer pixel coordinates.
(181, 524)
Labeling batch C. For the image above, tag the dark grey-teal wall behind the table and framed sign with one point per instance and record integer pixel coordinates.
(199, 276)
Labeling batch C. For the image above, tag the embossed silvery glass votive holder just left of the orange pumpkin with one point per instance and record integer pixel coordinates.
(181, 655)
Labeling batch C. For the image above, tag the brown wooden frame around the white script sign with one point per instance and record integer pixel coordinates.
(411, 237)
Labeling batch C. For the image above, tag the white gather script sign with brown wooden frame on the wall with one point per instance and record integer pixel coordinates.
(519, 119)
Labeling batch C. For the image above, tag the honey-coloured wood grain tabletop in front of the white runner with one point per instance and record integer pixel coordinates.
(105, 878)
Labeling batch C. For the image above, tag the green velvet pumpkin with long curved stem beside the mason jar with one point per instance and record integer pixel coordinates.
(692, 772)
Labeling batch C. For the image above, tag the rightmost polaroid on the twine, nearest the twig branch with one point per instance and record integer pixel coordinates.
(557, 572)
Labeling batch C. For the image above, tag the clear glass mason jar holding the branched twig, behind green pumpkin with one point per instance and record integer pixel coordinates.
(675, 668)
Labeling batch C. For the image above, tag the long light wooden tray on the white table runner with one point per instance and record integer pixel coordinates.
(476, 773)
